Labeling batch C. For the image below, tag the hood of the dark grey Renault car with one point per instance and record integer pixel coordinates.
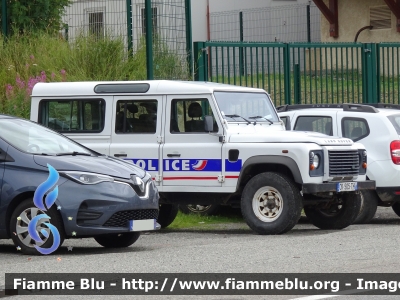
(106, 165)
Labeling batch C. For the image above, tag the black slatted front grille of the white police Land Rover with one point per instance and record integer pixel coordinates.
(342, 163)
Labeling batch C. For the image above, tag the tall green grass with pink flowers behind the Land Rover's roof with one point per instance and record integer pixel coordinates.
(41, 57)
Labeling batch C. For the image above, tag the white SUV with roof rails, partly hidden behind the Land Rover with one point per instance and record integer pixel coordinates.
(377, 126)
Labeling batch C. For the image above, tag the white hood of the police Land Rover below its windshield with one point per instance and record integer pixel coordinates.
(273, 136)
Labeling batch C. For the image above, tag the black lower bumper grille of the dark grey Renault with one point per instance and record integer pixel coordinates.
(121, 218)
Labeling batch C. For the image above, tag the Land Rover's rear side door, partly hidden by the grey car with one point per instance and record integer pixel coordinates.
(136, 131)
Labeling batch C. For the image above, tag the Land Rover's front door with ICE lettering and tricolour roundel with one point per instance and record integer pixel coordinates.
(191, 156)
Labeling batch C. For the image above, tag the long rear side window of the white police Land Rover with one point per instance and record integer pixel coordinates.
(73, 115)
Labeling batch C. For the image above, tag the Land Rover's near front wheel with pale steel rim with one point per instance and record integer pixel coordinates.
(271, 203)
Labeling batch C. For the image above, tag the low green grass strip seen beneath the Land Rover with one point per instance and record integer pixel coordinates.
(191, 221)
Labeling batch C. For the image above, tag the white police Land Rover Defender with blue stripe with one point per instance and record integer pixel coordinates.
(209, 143)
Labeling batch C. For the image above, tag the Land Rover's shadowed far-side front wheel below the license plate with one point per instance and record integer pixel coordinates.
(338, 214)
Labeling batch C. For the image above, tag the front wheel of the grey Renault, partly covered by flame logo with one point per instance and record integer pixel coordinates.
(21, 217)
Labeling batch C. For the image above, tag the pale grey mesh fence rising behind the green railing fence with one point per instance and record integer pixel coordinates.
(288, 23)
